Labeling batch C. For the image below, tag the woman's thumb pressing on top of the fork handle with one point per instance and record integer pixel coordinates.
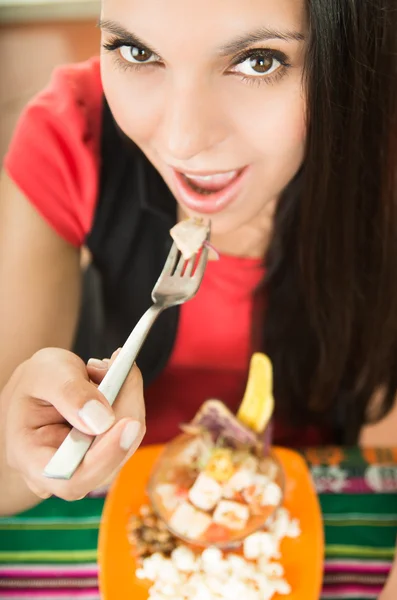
(60, 378)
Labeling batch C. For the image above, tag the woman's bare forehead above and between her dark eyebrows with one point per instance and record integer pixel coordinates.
(209, 23)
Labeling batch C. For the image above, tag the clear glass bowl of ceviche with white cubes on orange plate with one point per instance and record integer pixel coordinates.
(215, 497)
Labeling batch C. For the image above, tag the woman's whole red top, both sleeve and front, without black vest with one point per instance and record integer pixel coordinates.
(54, 158)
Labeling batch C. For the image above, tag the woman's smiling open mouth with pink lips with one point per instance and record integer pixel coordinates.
(209, 192)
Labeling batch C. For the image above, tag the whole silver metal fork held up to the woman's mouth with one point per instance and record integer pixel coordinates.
(178, 282)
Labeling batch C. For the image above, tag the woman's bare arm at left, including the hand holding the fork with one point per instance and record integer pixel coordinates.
(52, 390)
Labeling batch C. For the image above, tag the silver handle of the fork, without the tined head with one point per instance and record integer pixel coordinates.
(73, 449)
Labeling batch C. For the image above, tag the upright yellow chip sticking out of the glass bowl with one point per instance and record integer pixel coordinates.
(257, 406)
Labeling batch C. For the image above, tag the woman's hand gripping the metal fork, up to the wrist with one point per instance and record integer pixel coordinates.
(53, 391)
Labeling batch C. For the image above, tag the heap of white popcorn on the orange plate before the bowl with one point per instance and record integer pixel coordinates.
(214, 575)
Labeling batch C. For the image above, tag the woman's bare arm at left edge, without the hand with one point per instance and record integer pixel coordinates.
(39, 299)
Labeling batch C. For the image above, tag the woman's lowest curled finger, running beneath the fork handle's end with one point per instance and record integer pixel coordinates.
(102, 460)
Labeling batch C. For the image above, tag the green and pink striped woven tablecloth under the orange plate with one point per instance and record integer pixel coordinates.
(50, 552)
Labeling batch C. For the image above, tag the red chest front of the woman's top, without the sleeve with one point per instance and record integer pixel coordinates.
(213, 347)
